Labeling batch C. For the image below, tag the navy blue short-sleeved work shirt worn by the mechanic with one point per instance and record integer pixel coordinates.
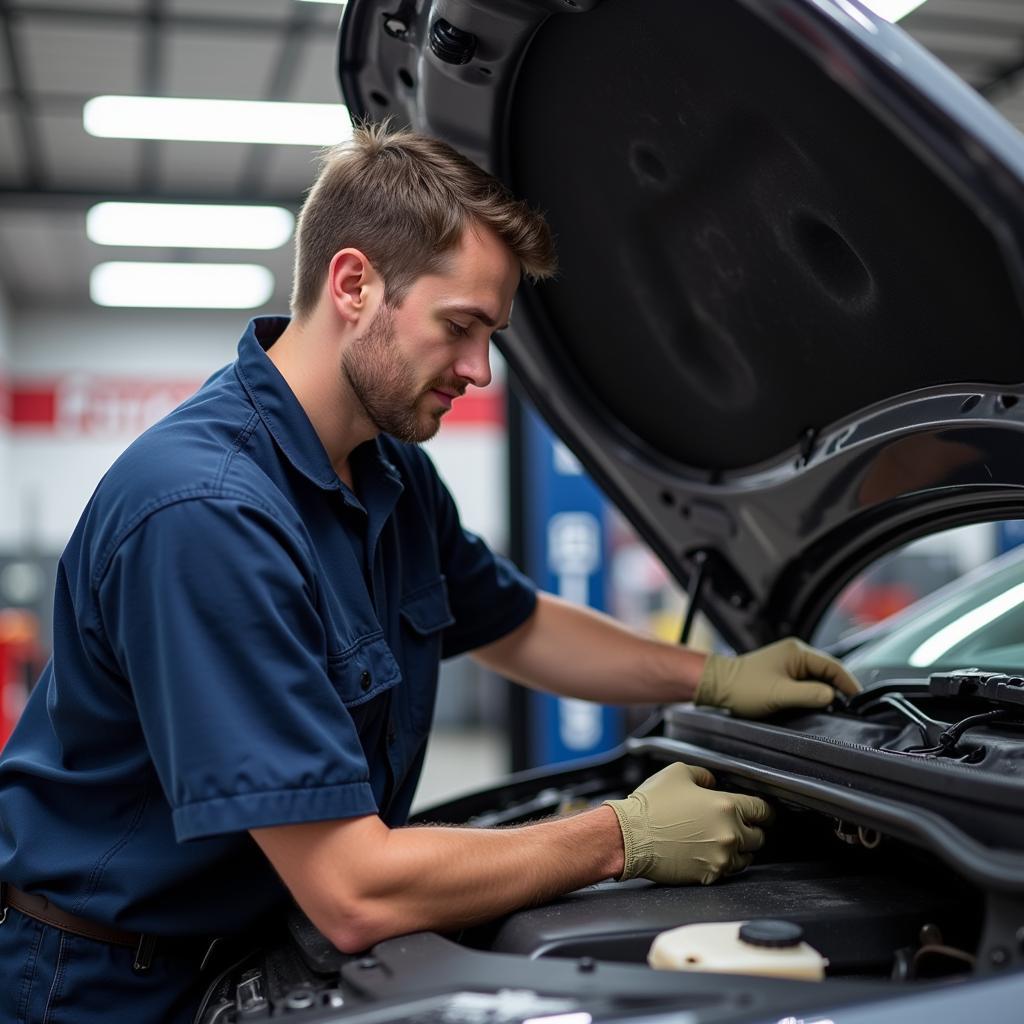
(240, 642)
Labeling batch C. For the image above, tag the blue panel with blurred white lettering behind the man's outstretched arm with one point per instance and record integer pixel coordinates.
(567, 551)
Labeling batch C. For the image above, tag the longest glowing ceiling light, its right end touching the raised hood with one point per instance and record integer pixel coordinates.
(217, 120)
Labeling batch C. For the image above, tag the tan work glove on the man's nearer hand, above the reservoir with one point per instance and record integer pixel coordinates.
(679, 832)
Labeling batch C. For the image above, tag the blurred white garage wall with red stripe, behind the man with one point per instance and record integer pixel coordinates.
(53, 472)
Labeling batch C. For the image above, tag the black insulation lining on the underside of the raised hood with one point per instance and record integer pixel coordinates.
(747, 251)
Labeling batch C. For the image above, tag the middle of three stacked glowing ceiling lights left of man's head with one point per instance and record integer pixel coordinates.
(192, 227)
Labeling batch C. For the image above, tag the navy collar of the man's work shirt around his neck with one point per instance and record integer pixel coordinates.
(285, 418)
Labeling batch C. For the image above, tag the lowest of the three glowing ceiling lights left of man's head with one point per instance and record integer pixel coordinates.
(182, 286)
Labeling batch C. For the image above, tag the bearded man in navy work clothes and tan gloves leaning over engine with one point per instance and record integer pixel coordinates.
(248, 624)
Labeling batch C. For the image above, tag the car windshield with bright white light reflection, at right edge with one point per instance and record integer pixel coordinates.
(977, 622)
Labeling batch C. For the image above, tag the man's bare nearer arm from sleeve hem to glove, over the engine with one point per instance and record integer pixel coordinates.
(361, 882)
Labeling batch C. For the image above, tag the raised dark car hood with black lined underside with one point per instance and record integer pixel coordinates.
(789, 330)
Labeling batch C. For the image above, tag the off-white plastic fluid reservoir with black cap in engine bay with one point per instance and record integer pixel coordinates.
(774, 949)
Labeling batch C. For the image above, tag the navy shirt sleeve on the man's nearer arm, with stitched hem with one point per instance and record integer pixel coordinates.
(210, 607)
